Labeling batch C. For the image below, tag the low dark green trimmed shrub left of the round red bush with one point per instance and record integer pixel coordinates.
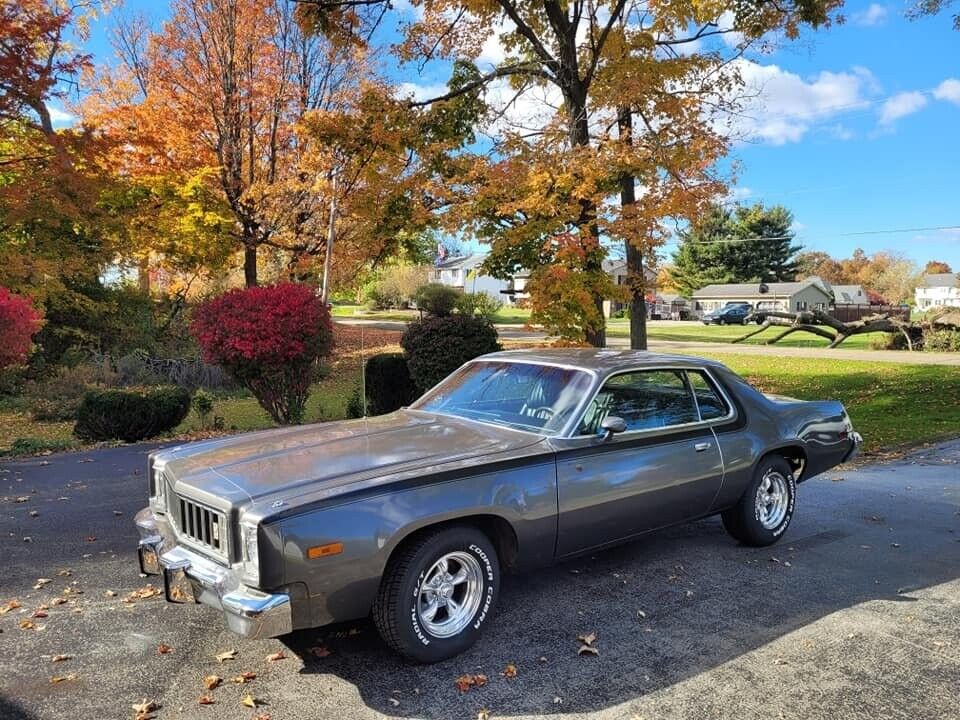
(130, 415)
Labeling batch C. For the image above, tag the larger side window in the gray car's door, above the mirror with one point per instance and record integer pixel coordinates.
(646, 400)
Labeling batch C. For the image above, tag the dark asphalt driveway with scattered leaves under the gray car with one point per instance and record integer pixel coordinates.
(854, 614)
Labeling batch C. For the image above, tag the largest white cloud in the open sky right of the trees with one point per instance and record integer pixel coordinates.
(784, 106)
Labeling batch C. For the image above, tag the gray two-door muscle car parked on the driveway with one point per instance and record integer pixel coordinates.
(516, 460)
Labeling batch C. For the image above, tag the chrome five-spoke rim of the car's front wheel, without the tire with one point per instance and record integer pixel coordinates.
(451, 594)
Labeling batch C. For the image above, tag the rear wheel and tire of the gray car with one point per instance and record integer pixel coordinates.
(765, 510)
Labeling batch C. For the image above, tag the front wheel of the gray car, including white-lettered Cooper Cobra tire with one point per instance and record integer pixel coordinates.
(437, 594)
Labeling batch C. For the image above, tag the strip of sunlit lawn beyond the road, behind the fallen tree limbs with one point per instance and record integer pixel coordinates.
(695, 331)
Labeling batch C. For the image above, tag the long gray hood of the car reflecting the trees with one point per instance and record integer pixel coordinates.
(287, 462)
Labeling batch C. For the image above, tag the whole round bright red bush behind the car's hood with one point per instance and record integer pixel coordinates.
(268, 339)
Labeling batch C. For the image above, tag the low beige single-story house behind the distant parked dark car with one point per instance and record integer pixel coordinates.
(809, 294)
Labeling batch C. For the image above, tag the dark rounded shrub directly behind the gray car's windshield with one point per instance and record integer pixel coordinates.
(437, 346)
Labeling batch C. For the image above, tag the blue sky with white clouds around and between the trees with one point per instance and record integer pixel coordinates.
(855, 131)
